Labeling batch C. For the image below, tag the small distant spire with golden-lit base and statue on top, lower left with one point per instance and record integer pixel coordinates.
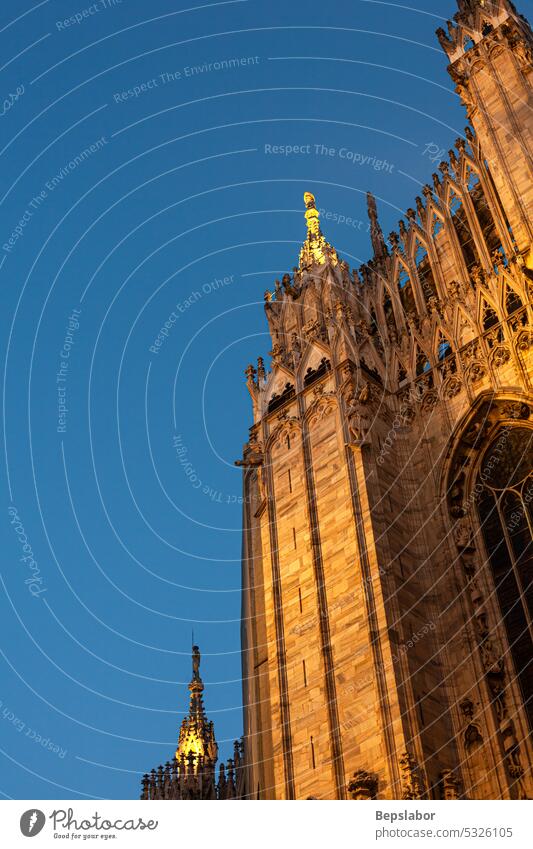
(197, 735)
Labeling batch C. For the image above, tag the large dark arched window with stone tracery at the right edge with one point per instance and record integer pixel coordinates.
(505, 510)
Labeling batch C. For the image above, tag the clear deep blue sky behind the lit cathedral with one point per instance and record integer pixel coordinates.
(149, 185)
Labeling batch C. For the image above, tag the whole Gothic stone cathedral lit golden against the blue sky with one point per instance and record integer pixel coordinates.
(387, 579)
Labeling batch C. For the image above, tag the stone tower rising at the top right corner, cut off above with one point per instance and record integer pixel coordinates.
(489, 48)
